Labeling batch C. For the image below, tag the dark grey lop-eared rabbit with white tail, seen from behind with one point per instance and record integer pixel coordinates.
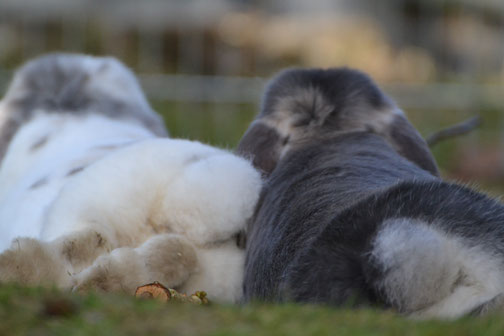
(353, 212)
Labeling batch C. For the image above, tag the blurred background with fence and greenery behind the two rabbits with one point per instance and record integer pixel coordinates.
(203, 63)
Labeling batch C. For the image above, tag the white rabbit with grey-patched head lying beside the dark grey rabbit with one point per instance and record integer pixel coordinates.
(92, 198)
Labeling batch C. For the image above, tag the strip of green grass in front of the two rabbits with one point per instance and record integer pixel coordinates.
(37, 311)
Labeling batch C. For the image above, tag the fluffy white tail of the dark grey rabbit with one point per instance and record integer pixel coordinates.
(431, 274)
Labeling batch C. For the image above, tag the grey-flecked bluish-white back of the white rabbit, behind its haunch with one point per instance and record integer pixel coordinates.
(72, 142)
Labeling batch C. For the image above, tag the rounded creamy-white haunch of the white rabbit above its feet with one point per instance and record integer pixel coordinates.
(177, 185)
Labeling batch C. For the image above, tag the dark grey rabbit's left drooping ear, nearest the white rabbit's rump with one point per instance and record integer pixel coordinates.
(262, 145)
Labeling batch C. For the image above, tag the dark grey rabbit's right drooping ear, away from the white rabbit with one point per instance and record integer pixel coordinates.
(409, 143)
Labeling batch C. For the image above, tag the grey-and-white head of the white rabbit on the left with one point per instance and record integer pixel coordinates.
(59, 83)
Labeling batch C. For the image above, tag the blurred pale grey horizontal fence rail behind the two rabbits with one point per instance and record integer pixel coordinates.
(248, 90)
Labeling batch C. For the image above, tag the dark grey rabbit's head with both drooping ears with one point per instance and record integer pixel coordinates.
(303, 105)
